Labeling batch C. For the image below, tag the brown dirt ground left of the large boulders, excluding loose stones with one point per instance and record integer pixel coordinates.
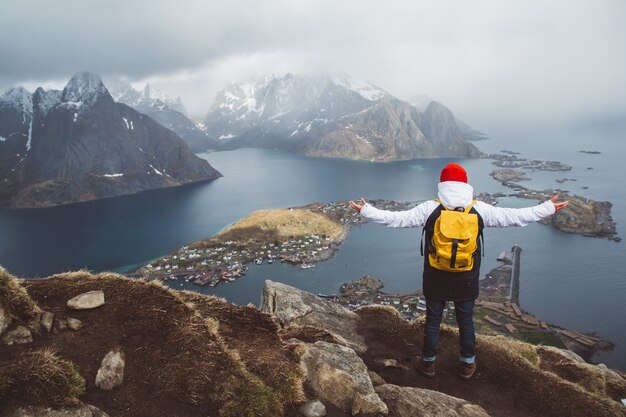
(176, 363)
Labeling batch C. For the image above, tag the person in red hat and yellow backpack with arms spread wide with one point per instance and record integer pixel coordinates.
(452, 229)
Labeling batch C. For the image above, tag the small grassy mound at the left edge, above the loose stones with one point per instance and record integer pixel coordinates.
(15, 299)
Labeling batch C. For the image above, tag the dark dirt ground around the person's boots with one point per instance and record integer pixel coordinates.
(499, 390)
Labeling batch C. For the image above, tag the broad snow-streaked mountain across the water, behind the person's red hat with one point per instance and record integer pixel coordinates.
(333, 116)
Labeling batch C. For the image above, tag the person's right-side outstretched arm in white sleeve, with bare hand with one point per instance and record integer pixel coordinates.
(503, 217)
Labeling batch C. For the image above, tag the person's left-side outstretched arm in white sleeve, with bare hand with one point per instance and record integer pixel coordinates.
(415, 217)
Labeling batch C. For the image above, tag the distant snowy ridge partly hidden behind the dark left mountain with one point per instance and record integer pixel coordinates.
(165, 109)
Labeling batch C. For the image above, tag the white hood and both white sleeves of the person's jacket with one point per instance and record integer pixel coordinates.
(454, 194)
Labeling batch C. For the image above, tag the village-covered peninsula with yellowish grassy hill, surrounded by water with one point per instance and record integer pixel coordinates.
(300, 236)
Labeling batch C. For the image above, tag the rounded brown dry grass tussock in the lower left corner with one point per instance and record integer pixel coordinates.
(43, 376)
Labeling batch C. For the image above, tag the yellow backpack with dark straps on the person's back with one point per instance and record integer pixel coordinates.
(454, 239)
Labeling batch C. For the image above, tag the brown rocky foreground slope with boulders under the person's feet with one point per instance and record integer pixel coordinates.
(77, 344)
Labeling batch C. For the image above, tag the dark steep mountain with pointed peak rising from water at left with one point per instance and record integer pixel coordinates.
(75, 145)
